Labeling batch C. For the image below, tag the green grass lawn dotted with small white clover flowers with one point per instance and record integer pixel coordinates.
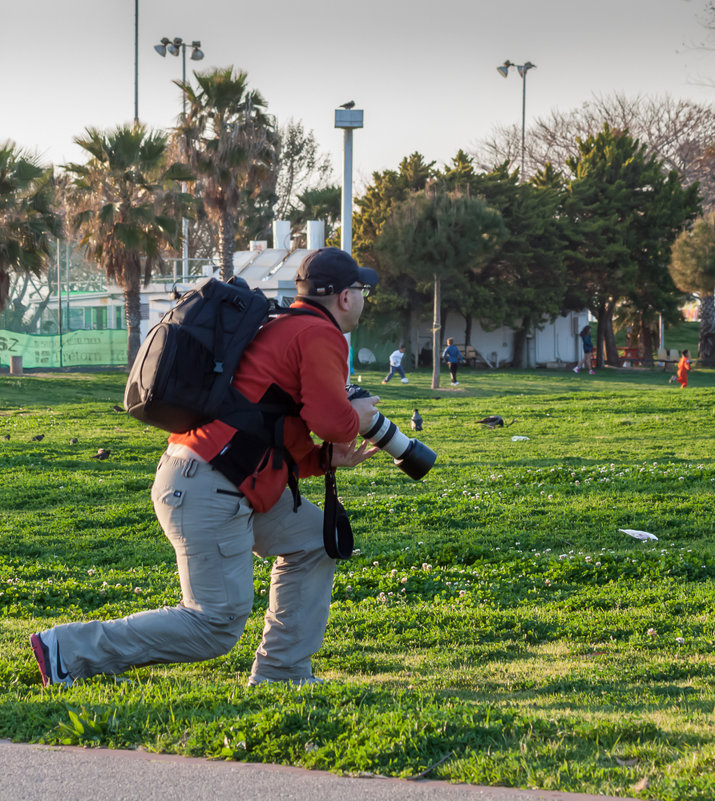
(494, 620)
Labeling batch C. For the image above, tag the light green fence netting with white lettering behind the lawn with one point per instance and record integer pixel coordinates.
(86, 348)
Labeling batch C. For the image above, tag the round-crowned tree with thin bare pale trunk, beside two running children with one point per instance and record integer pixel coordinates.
(438, 238)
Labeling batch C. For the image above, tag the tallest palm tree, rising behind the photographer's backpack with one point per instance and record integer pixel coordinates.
(231, 145)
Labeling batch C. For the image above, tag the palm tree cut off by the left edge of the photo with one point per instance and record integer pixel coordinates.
(27, 217)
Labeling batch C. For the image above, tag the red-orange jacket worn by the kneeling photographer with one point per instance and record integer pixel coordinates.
(307, 357)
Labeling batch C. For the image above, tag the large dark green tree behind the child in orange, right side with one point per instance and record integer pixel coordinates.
(625, 212)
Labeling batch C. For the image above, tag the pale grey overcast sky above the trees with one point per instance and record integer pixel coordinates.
(424, 72)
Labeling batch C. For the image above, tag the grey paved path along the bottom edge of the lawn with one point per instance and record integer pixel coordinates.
(51, 773)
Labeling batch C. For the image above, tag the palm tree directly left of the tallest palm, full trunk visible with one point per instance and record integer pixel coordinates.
(125, 210)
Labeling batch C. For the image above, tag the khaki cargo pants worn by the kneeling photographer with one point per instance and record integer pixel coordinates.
(215, 532)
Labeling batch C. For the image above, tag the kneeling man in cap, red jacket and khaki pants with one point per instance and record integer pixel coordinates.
(215, 515)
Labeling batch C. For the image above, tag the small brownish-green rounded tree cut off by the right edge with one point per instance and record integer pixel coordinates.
(693, 269)
